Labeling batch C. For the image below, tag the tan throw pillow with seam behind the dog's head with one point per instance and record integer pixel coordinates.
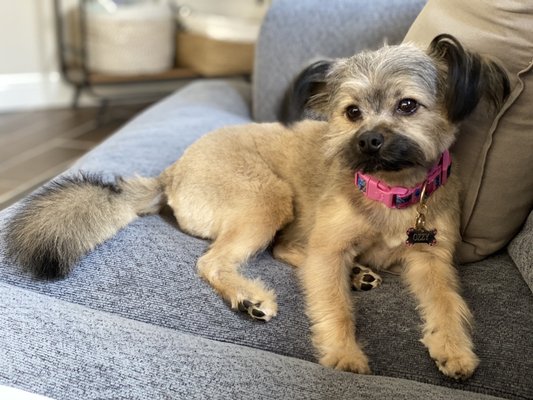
(493, 153)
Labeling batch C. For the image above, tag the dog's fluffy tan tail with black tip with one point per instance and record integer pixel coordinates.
(70, 216)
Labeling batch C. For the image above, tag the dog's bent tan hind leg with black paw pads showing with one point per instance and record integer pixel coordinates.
(230, 250)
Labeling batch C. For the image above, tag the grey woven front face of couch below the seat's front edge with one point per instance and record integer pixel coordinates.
(89, 354)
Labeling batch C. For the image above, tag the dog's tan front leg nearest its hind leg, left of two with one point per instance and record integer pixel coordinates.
(325, 278)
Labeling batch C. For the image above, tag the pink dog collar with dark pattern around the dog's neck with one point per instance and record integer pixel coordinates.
(401, 197)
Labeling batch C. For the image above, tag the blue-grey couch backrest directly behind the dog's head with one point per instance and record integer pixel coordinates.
(294, 33)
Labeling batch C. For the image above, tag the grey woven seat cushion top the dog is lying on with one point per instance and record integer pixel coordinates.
(147, 273)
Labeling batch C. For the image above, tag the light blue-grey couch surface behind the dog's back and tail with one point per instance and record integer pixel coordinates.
(158, 136)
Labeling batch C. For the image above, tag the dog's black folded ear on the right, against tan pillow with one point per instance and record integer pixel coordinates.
(469, 77)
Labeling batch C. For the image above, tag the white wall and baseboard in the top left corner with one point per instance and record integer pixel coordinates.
(29, 74)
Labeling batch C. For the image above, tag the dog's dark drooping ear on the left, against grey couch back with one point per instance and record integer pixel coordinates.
(308, 92)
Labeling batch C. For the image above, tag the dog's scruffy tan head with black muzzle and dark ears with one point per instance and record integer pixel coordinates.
(397, 108)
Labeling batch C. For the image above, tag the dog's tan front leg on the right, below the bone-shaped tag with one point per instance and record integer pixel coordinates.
(447, 319)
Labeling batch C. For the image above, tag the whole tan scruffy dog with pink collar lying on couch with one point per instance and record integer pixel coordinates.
(366, 183)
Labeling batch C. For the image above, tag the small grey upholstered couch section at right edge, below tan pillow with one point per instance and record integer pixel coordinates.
(521, 251)
